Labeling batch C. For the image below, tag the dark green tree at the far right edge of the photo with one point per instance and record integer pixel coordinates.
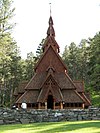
(94, 62)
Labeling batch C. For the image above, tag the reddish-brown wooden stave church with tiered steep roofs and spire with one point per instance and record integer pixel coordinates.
(51, 87)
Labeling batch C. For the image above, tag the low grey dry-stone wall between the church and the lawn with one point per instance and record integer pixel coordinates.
(11, 116)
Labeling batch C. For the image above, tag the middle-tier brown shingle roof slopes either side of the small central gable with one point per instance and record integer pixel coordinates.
(62, 79)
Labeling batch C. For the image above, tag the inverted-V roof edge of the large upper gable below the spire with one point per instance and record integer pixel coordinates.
(56, 54)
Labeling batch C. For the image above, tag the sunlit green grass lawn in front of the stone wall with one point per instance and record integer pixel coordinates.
(53, 127)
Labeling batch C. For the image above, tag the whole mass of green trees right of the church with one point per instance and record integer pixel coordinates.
(83, 62)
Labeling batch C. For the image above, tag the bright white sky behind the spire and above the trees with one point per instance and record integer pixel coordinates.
(74, 20)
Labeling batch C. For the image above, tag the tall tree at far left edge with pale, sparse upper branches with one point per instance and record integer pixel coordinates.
(8, 50)
